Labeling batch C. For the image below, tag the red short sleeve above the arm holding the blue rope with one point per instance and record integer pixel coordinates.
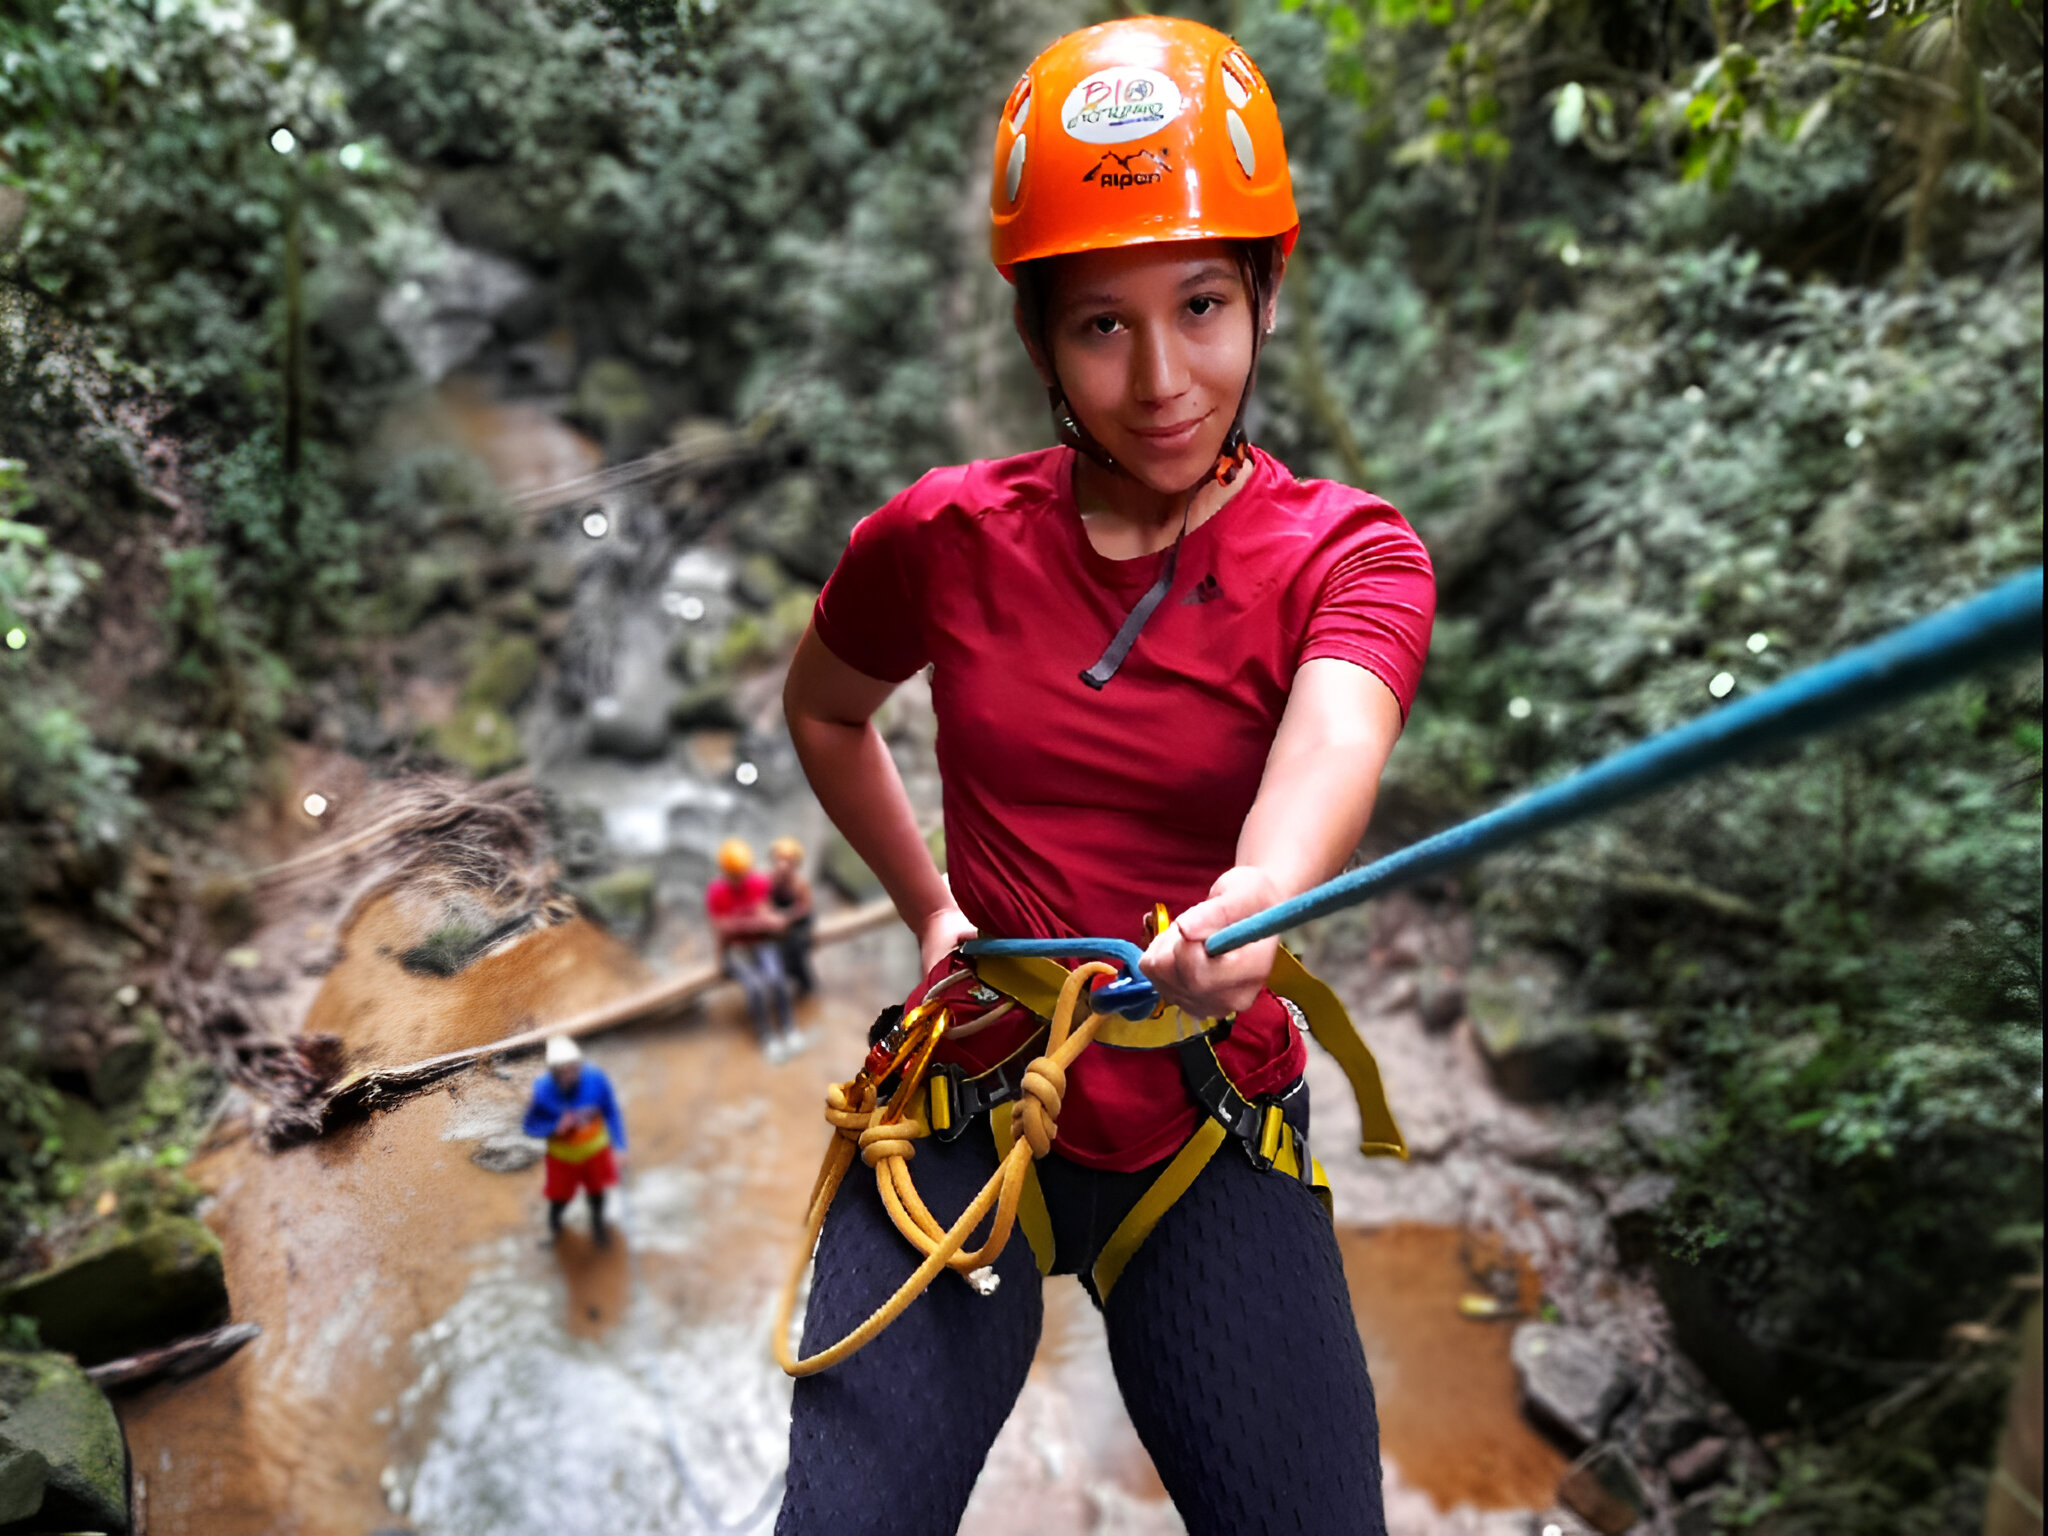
(1377, 605)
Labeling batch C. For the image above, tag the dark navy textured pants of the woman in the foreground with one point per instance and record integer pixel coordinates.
(1230, 1330)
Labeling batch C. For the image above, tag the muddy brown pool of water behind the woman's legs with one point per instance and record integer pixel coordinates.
(429, 1367)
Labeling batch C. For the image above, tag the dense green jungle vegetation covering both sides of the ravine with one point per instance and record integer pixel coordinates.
(1701, 339)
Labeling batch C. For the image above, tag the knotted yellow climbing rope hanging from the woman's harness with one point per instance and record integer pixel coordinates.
(888, 1140)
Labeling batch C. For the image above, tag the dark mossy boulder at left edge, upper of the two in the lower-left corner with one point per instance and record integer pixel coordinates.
(148, 1289)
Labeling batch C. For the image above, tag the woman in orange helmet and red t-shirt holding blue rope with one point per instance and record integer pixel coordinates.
(1166, 671)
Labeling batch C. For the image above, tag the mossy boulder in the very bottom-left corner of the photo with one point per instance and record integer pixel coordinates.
(67, 1422)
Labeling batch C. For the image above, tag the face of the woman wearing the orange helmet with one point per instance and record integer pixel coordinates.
(1154, 347)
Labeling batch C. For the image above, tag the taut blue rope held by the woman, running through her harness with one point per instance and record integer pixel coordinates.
(2002, 626)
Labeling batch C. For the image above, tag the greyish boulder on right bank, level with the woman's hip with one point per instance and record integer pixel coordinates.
(1537, 1043)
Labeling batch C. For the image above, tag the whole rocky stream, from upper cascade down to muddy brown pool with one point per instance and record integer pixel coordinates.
(431, 1367)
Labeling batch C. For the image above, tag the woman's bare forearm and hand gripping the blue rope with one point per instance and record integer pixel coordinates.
(1314, 804)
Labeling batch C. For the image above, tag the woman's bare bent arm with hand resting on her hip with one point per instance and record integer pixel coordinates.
(830, 714)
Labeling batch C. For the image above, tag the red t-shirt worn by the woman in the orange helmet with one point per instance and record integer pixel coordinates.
(1072, 812)
